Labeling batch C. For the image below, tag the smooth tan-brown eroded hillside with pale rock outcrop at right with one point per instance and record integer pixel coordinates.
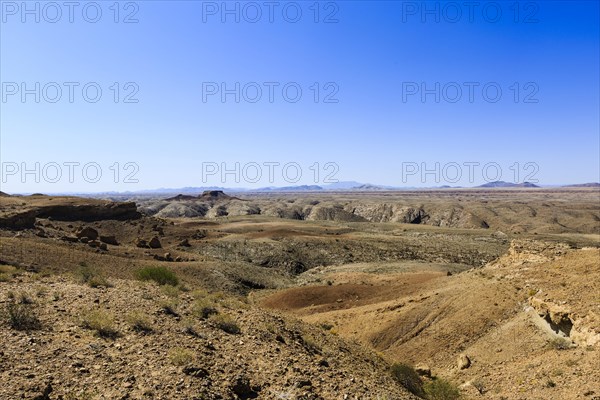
(528, 322)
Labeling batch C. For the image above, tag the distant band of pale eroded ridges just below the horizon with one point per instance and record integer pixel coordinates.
(512, 211)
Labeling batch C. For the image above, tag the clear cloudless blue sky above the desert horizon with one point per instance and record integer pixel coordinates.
(369, 60)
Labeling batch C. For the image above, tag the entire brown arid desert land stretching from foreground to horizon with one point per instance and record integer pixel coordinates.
(482, 293)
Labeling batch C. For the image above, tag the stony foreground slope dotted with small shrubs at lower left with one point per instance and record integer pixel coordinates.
(149, 352)
